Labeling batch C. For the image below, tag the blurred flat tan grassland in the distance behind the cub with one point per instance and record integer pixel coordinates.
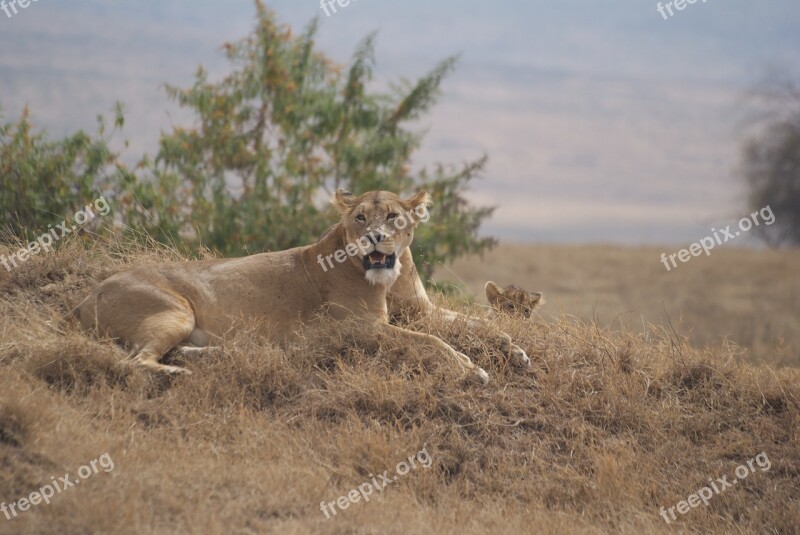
(751, 297)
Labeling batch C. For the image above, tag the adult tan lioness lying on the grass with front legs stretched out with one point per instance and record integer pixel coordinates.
(156, 308)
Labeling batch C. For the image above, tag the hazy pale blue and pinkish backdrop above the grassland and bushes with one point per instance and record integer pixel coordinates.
(603, 122)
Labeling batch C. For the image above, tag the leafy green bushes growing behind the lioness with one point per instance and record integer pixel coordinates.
(270, 144)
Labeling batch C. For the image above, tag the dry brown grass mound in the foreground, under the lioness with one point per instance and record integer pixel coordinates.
(603, 430)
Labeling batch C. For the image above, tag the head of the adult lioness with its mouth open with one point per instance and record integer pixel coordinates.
(378, 227)
